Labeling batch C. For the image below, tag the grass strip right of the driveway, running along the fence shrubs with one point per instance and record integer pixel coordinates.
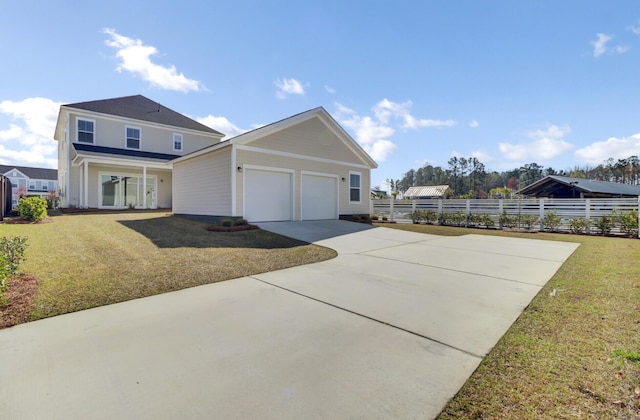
(572, 355)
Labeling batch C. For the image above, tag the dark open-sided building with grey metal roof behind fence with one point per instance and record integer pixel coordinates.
(554, 186)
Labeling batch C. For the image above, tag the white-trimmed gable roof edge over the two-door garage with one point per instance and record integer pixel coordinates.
(285, 123)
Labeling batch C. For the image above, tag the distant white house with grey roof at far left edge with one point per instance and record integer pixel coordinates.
(29, 181)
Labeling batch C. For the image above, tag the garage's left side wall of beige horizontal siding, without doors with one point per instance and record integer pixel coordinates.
(202, 185)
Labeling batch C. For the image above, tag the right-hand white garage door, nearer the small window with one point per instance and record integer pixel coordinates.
(319, 197)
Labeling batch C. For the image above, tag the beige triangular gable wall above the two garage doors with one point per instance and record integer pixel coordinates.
(310, 138)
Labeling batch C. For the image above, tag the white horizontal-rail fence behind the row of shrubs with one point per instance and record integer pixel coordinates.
(568, 209)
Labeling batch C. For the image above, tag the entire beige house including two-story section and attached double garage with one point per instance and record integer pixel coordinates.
(132, 152)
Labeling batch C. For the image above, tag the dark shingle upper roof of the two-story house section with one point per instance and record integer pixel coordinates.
(141, 108)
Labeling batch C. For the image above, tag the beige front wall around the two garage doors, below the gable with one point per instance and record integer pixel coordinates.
(298, 165)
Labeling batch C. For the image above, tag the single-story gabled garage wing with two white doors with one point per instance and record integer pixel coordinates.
(305, 167)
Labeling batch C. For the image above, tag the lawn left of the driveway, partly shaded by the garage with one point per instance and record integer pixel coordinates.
(88, 260)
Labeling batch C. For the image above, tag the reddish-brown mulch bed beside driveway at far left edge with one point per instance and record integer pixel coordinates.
(19, 297)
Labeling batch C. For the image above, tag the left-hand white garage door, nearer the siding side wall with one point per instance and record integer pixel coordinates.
(267, 196)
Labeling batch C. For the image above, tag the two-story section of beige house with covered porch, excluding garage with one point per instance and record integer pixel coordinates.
(115, 153)
